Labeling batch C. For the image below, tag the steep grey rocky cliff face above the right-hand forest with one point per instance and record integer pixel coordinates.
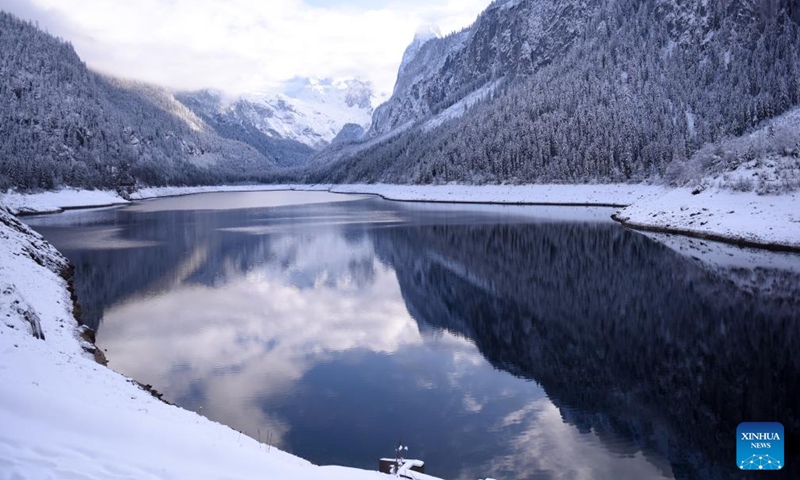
(509, 38)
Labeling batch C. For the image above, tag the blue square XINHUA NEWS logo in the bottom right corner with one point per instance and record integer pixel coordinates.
(759, 446)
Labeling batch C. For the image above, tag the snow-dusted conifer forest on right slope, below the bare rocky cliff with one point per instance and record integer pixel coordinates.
(644, 86)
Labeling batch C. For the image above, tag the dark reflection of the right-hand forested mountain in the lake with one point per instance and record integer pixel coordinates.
(629, 340)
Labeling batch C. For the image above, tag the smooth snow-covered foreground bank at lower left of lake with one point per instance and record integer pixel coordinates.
(63, 416)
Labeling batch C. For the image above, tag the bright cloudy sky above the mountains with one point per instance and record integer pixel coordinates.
(240, 46)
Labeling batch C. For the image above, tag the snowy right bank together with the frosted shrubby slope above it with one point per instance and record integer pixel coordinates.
(743, 190)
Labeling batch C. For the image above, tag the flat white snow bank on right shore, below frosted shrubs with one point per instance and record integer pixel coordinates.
(747, 219)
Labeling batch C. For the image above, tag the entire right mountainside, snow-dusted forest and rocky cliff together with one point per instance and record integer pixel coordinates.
(629, 91)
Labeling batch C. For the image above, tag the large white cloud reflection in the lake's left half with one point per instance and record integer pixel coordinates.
(256, 337)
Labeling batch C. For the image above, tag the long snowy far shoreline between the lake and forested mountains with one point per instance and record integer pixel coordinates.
(770, 222)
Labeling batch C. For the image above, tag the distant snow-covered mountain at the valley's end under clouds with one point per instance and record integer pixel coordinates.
(289, 125)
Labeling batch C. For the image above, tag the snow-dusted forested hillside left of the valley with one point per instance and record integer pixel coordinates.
(62, 124)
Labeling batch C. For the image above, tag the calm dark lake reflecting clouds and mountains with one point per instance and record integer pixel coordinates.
(511, 342)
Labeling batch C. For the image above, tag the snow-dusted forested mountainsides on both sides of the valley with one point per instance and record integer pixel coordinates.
(621, 91)
